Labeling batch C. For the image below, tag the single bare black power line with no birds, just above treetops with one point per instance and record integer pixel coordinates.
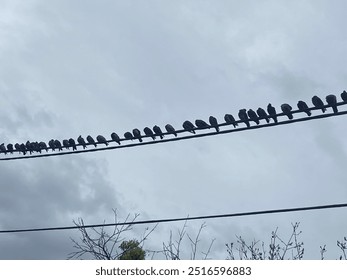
(253, 213)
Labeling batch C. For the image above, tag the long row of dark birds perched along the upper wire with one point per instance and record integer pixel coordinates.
(244, 117)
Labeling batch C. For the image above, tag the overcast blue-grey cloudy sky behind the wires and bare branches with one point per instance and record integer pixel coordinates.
(71, 68)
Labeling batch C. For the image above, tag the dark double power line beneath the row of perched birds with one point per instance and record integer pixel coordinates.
(321, 116)
